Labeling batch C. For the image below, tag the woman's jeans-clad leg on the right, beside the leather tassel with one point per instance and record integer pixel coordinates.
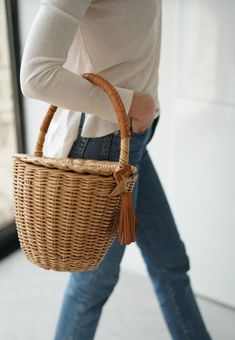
(165, 257)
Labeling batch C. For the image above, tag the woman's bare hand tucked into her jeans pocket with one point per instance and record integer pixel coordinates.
(142, 111)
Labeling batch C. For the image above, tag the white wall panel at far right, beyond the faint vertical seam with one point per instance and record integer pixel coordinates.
(202, 158)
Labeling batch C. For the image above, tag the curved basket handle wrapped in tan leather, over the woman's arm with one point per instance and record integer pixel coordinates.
(118, 106)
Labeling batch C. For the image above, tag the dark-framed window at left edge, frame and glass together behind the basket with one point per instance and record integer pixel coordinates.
(11, 124)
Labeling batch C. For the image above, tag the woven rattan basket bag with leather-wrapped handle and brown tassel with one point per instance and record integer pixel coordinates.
(68, 211)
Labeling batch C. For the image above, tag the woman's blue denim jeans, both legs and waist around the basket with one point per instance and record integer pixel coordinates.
(160, 244)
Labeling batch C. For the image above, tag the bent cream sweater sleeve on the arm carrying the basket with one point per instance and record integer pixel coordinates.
(42, 75)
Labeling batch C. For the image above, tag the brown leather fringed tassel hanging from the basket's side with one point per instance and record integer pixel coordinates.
(127, 220)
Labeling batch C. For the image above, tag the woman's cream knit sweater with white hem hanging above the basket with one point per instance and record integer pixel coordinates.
(118, 39)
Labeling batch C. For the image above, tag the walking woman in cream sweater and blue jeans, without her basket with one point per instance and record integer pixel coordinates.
(120, 40)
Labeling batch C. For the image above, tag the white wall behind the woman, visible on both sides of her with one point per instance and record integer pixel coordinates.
(193, 146)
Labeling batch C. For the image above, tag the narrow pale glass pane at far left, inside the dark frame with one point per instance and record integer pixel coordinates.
(7, 125)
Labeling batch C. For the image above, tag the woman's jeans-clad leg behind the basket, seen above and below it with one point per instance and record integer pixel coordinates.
(87, 292)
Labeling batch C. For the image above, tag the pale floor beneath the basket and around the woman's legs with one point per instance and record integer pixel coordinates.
(30, 299)
